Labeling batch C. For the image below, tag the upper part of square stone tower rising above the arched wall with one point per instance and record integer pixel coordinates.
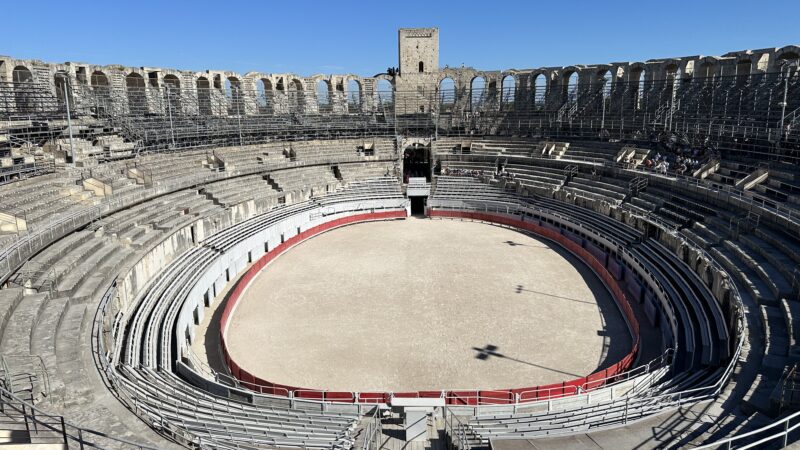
(419, 50)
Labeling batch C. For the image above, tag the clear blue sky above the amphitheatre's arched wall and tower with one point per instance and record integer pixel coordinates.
(312, 36)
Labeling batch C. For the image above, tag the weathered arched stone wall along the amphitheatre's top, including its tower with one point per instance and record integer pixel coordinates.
(744, 62)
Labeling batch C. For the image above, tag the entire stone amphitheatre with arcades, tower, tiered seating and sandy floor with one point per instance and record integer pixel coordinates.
(599, 255)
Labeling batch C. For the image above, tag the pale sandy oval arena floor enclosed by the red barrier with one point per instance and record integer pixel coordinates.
(424, 304)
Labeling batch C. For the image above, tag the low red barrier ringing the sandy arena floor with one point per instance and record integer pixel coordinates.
(472, 397)
